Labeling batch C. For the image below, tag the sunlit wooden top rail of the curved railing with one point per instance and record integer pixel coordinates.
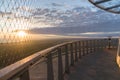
(11, 70)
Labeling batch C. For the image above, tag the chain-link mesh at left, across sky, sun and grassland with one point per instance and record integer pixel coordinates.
(16, 20)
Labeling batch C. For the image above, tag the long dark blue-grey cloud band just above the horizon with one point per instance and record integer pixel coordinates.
(98, 29)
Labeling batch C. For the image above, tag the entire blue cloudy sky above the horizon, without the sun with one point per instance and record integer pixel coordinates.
(78, 17)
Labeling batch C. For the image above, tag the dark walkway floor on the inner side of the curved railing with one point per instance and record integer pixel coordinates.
(97, 66)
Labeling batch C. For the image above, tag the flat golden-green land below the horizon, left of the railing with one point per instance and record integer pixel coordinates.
(12, 52)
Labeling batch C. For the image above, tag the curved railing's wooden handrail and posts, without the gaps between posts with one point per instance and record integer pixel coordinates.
(79, 48)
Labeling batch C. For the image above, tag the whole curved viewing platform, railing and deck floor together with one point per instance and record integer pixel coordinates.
(75, 60)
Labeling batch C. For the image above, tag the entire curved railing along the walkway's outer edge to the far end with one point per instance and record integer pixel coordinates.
(57, 59)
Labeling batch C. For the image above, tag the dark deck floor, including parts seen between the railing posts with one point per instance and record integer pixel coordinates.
(96, 66)
